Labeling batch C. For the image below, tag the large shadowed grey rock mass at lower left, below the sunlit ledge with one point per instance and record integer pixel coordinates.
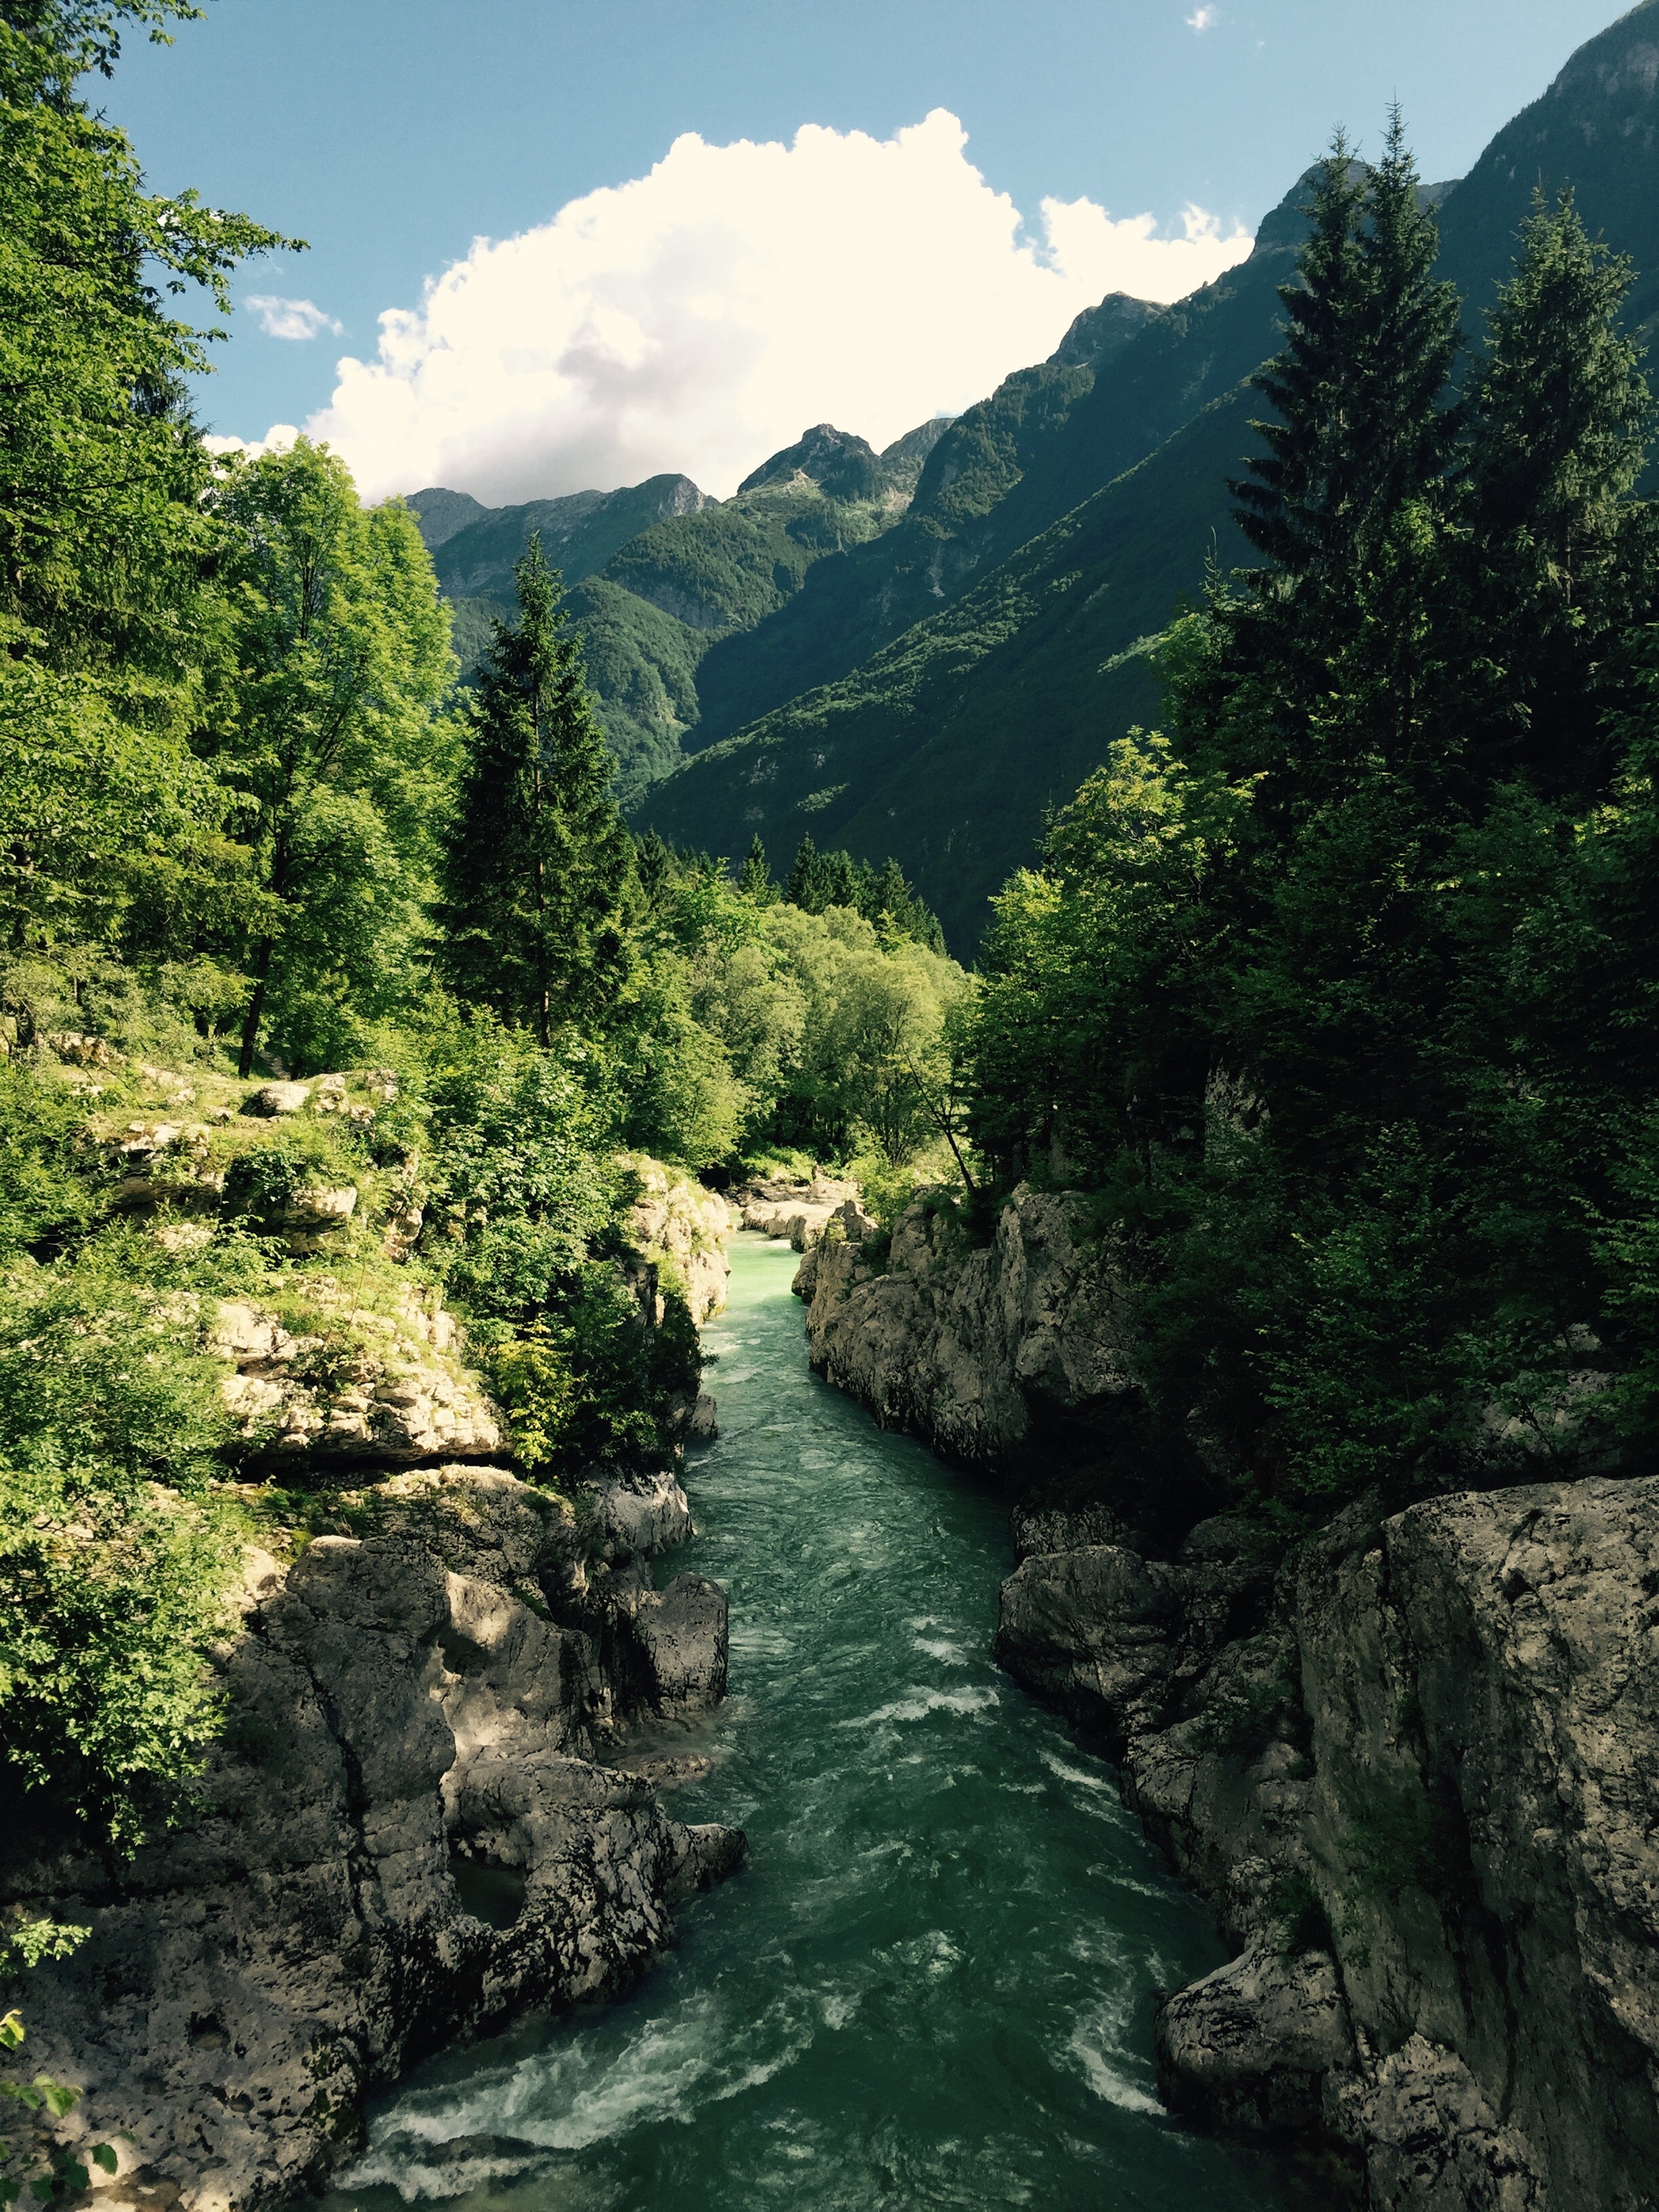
(401, 1844)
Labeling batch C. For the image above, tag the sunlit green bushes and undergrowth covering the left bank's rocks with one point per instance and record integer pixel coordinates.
(125, 1483)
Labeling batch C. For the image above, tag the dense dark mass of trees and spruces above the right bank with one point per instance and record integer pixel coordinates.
(1331, 992)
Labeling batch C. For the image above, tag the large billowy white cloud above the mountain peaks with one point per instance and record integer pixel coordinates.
(705, 315)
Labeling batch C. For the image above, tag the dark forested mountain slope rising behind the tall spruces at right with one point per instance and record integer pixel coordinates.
(943, 740)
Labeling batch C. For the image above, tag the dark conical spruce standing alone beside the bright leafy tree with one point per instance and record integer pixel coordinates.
(541, 873)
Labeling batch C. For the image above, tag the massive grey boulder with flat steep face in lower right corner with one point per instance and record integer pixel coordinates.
(1439, 1749)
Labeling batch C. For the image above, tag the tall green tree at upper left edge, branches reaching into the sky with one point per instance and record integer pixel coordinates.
(105, 543)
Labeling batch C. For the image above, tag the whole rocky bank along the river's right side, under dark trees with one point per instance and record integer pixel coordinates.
(1410, 1760)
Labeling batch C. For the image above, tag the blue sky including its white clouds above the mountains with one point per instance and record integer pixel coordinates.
(561, 244)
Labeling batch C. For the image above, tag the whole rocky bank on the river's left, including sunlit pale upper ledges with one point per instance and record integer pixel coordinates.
(419, 1815)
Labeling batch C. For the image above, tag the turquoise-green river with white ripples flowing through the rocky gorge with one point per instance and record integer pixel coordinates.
(932, 1987)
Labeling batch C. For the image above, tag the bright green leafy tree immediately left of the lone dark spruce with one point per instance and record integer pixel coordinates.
(333, 740)
